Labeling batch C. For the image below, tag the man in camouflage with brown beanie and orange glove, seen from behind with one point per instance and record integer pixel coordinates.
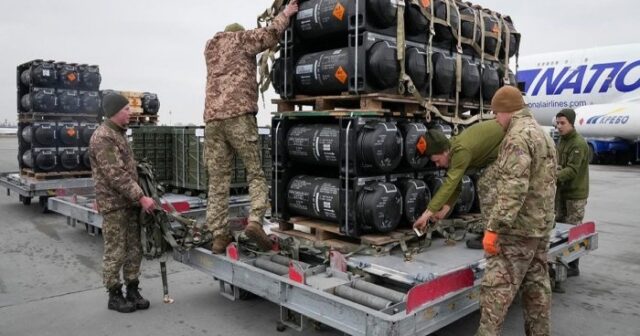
(517, 238)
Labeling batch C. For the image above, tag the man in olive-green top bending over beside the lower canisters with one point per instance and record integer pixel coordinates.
(474, 149)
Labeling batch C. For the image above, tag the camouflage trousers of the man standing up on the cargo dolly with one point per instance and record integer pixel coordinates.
(223, 138)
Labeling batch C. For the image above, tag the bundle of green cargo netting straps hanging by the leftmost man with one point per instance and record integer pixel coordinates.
(163, 228)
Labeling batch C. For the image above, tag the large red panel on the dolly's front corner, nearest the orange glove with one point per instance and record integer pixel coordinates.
(439, 287)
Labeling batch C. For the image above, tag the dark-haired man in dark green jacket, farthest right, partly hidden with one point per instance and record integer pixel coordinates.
(573, 178)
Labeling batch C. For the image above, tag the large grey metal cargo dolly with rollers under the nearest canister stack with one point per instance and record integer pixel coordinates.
(373, 295)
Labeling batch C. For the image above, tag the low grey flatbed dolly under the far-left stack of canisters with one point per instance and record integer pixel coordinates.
(29, 187)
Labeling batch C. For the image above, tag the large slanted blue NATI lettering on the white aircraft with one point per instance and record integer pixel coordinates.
(556, 80)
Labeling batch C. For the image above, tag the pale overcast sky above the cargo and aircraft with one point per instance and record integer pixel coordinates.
(157, 45)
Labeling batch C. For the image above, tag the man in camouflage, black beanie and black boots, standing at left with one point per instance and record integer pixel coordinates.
(119, 199)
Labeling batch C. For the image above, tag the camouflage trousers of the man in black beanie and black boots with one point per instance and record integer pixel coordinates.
(122, 246)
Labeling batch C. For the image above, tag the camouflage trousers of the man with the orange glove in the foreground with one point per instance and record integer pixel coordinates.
(520, 264)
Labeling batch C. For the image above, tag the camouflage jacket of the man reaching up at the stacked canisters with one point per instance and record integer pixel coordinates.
(232, 87)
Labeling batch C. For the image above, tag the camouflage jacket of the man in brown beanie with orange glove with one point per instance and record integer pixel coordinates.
(526, 183)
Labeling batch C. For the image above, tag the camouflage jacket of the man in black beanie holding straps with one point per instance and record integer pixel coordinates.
(113, 169)
